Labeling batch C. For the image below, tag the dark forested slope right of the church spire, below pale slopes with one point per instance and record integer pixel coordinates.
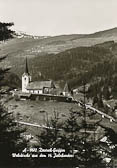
(95, 65)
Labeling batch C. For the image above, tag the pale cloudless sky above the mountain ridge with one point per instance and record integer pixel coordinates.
(55, 17)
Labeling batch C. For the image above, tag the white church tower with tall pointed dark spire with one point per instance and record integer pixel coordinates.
(26, 79)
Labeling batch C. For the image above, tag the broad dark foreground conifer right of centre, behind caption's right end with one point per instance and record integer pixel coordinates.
(74, 141)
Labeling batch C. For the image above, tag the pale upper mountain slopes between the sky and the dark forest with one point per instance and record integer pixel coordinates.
(24, 44)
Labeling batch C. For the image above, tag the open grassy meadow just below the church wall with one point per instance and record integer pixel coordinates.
(36, 110)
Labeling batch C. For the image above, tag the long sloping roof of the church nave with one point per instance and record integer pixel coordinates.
(40, 85)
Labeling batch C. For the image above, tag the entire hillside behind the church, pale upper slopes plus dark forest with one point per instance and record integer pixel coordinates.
(70, 58)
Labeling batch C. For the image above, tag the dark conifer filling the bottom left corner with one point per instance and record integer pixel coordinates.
(11, 140)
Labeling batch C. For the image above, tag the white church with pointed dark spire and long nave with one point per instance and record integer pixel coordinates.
(36, 87)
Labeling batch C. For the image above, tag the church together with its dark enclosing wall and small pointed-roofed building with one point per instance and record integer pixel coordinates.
(43, 90)
